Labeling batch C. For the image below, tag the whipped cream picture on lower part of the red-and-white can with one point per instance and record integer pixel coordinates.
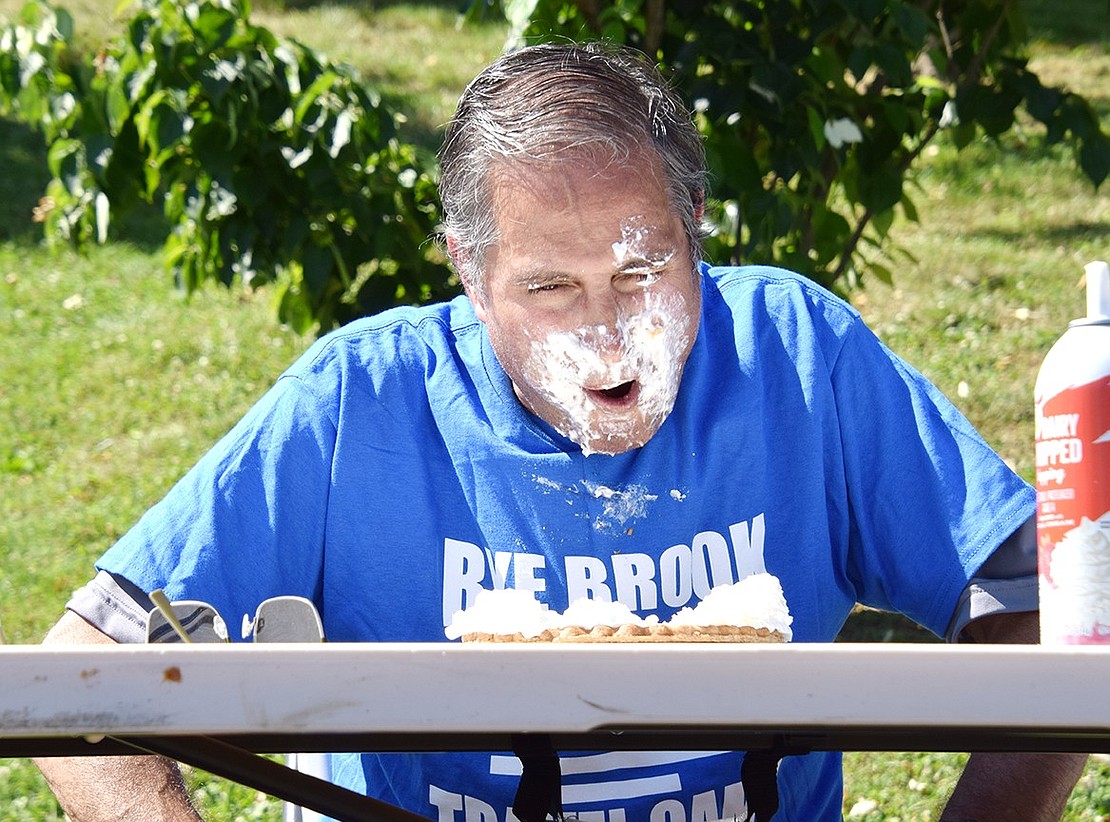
(1081, 571)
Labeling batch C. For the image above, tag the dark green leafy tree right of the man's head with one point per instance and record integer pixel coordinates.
(815, 111)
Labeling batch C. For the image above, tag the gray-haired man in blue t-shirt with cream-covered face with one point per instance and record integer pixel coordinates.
(601, 417)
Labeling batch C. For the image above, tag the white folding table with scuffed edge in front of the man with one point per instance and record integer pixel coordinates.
(209, 705)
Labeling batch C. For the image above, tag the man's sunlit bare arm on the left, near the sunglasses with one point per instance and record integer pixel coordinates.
(95, 789)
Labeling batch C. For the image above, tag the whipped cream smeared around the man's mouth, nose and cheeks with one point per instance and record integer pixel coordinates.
(644, 349)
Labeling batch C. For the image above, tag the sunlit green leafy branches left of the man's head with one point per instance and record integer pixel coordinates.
(273, 165)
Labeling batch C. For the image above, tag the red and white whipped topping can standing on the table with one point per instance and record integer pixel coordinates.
(1073, 420)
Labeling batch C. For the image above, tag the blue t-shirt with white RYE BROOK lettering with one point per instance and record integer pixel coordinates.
(393, 465)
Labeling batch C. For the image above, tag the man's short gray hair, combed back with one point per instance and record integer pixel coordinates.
(547, 104)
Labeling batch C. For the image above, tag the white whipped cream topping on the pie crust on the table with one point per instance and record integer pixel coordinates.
(755, 602)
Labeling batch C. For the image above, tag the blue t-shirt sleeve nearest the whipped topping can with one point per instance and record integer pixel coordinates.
(931, 502)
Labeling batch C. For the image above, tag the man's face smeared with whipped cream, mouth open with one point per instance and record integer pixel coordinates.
(591, 299)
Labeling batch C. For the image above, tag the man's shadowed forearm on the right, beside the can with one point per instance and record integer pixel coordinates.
(1001, 787)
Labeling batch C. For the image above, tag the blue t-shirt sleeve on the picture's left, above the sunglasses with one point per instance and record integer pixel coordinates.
(248, 522)
